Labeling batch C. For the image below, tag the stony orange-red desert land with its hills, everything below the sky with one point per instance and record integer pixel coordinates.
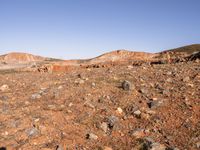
(118, 101)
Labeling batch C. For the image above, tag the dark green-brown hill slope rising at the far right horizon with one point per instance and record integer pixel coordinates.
(187, 49)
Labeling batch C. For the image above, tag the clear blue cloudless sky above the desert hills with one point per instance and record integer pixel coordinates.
(87, 28)
